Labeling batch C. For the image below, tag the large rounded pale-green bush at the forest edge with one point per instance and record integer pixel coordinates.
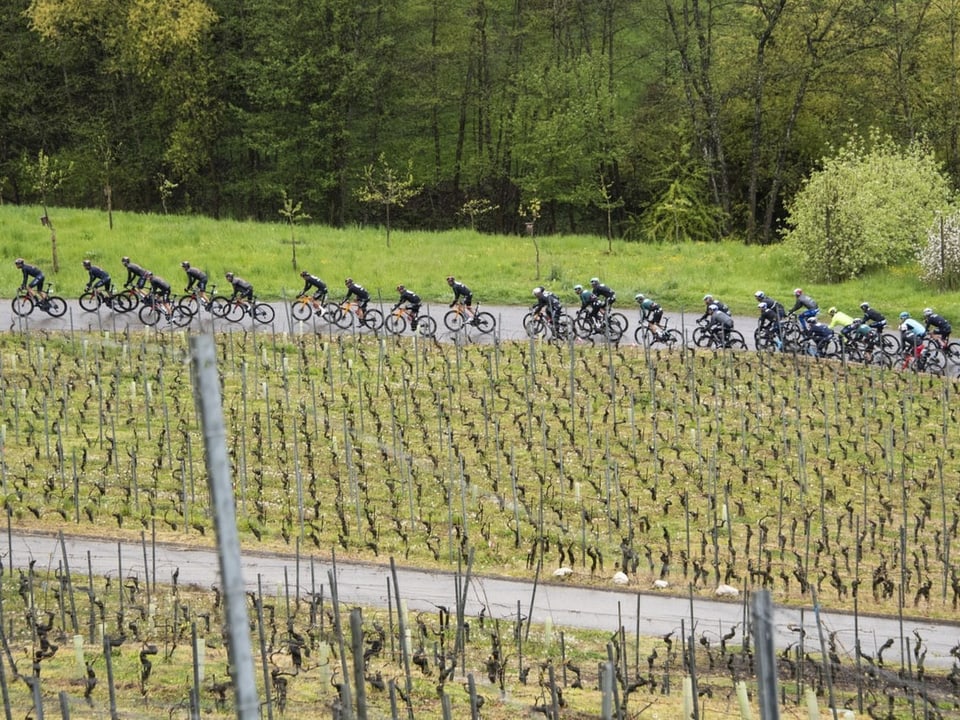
(869, 207)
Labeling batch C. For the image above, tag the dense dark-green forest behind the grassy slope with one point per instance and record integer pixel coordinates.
(631, 118)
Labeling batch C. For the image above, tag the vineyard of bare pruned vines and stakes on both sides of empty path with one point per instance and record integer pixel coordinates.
(694, 469)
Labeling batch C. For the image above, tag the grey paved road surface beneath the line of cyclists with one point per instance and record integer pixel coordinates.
(509, 321)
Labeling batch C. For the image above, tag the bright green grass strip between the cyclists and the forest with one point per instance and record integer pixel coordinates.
(500, 269)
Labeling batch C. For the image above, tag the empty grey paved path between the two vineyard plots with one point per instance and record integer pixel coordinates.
(565, 605)
